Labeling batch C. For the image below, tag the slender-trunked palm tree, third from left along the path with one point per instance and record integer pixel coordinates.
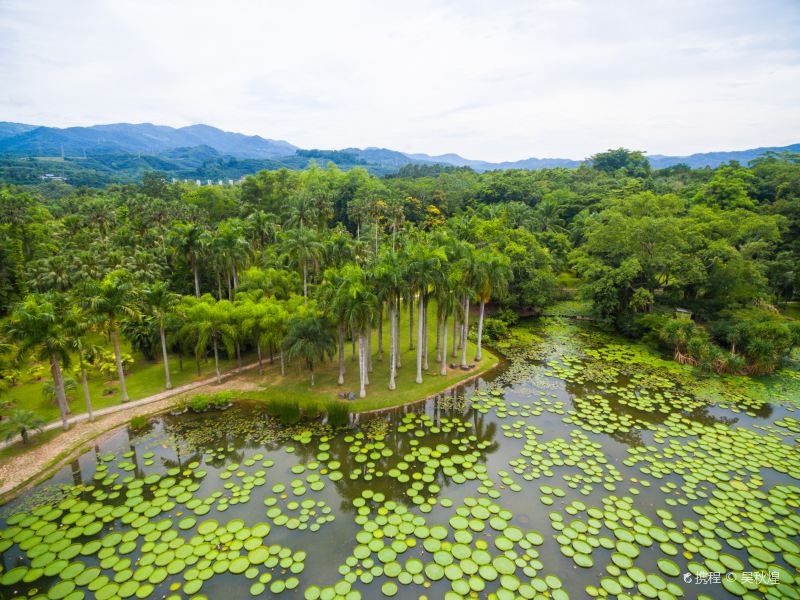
(110, 300)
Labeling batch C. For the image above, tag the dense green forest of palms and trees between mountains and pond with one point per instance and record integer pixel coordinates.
(701, 262)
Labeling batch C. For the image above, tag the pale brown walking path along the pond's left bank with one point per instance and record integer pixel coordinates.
(38, 461)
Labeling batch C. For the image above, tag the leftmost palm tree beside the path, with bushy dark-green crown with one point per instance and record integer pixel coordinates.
(37, 326)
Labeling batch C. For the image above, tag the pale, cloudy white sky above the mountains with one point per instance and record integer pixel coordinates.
(496, 81)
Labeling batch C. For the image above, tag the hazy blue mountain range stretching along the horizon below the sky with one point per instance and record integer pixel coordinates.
(202, 151)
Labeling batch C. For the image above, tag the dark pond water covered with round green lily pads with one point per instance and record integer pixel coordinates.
(583, 467)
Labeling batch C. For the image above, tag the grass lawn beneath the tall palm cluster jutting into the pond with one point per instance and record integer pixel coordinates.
(295, 385)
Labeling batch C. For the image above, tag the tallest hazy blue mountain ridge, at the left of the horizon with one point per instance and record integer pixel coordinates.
(141, 138)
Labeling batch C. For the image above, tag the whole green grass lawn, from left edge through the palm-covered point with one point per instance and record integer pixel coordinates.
(146, 378)
